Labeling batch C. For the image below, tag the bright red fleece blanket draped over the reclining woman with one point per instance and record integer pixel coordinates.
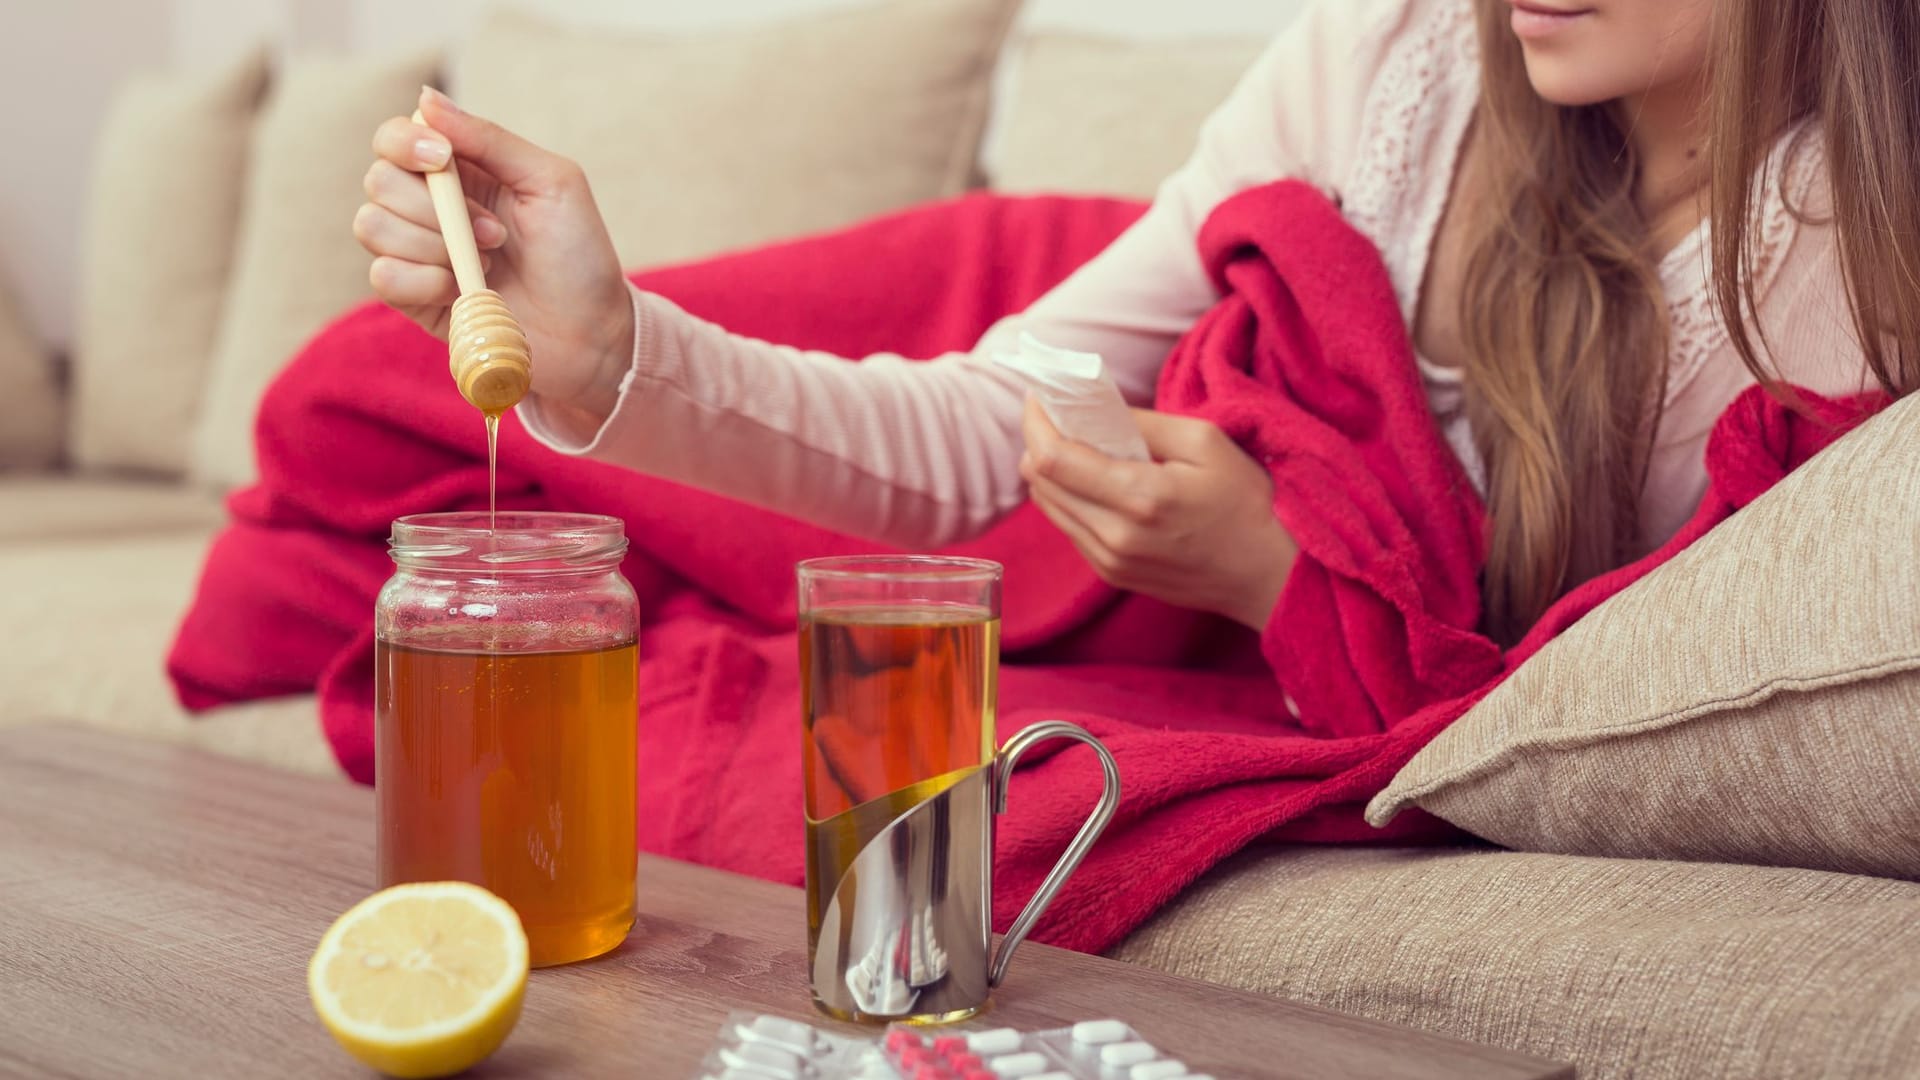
(1305, 362)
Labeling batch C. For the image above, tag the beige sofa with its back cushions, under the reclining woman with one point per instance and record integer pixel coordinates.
(1627, 968)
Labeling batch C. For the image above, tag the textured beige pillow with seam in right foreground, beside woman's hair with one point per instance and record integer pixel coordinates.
(1758, 700)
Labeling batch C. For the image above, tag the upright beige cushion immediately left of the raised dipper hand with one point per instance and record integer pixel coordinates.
(299, 262)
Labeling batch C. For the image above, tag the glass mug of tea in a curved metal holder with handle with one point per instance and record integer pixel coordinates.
(900, 668)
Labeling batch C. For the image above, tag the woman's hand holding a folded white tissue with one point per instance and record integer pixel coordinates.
(1195, 528)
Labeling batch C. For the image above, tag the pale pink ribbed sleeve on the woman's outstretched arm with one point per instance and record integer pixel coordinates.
(923, 454)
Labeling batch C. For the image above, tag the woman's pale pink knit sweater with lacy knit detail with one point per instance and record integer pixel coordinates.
(1366, 101)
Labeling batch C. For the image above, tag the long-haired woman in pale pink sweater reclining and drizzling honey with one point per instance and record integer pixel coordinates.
(1539, 178)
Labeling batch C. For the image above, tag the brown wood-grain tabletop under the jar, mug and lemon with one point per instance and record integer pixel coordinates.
(158, 908)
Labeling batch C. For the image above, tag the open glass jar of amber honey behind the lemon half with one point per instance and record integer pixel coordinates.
(506, 675)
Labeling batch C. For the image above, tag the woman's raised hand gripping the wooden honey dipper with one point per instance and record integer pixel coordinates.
(542, 241)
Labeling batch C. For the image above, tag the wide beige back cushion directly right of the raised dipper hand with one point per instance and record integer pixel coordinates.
(721, 139)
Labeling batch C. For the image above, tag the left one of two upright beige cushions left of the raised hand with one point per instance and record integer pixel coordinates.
(155, 262)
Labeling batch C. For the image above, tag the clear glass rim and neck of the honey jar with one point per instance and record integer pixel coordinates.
(510, 541)
